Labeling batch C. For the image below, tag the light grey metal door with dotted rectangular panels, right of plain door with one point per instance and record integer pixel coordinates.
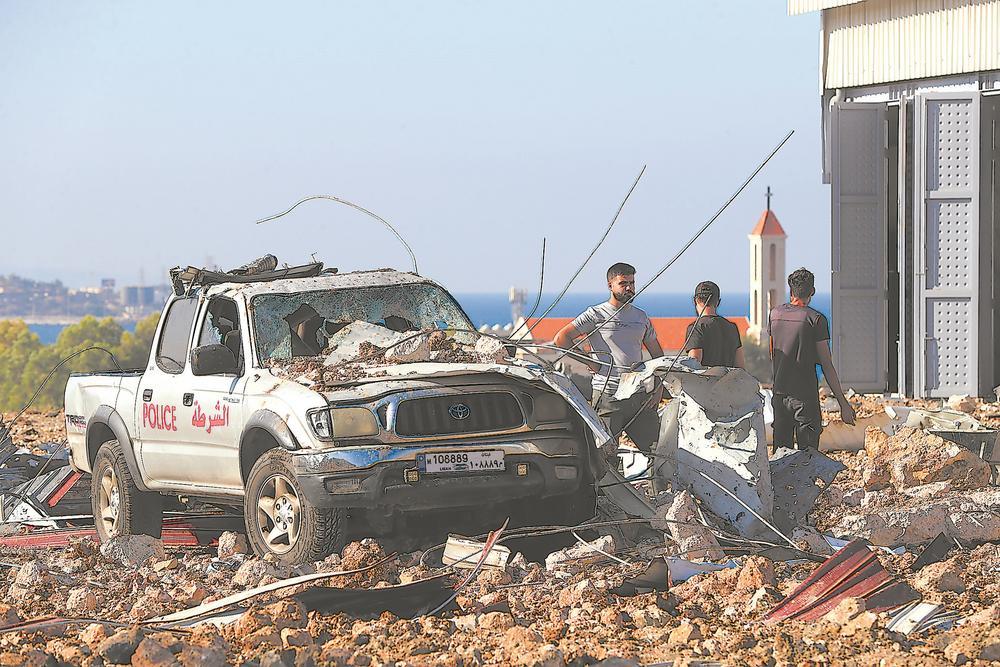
(946, 147)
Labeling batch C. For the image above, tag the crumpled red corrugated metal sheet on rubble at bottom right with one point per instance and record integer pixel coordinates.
(853, 572)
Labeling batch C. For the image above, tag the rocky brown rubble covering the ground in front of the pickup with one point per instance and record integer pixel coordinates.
(901, 490)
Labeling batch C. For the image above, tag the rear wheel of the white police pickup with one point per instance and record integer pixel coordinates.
(120, 508)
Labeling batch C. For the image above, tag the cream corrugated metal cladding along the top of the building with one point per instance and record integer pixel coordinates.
(895, 40)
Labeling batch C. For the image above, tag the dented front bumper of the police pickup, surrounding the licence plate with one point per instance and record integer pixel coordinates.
(389, 478)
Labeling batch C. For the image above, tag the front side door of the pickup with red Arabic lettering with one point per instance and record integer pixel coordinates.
(216, 411)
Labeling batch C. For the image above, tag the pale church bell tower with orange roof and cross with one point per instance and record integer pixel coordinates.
(767, 268)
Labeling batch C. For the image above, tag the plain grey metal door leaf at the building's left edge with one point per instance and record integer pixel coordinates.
(858, 317)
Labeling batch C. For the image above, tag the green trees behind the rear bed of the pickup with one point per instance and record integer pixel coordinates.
(25, 360)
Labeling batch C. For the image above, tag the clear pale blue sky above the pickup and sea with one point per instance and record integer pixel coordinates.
(139, 136)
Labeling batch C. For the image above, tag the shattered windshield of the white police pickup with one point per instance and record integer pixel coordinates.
(300, 324)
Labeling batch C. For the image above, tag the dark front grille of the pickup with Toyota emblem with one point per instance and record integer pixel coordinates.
(450, 415)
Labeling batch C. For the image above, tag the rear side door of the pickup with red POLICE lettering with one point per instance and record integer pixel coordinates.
(161, 415)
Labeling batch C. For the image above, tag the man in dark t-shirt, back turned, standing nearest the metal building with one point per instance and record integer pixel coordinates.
(800, 340)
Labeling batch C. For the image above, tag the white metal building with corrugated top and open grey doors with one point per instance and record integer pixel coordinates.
(911, 104)
